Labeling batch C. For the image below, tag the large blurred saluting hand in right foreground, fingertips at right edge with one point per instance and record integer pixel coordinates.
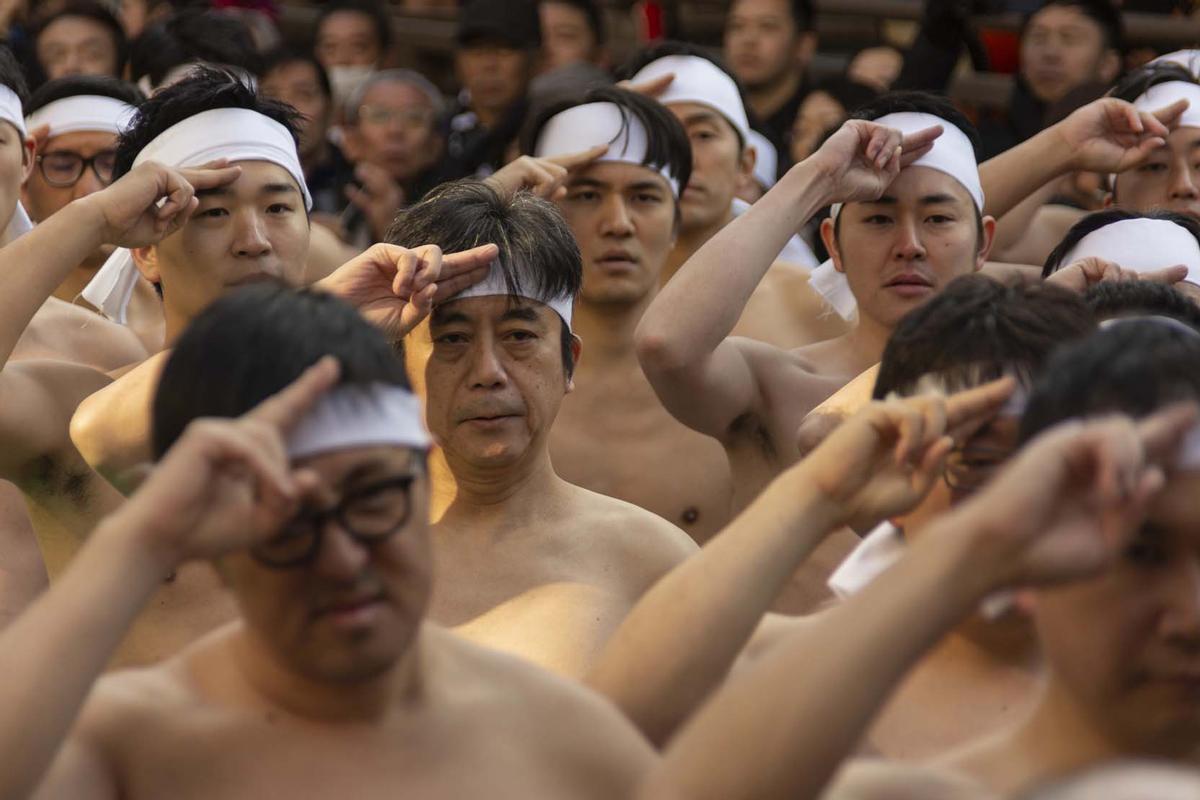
(1082, 490)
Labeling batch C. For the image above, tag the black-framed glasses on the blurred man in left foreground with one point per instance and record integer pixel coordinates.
(370, 515)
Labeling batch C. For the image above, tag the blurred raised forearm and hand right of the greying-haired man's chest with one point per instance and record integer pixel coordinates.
(682, 637)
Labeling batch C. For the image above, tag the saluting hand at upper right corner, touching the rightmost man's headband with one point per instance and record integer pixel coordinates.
(1112, 136)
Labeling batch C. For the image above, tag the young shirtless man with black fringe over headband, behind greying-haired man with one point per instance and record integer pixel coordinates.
(613, 435)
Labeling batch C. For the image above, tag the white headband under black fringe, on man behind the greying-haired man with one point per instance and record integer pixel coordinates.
(593, 124)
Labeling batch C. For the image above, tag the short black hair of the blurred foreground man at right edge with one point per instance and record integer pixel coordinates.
(1132, 368)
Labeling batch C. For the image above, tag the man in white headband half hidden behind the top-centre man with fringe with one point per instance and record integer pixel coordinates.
(706, 100)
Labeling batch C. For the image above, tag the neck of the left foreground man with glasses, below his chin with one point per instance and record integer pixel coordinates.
(334, 702)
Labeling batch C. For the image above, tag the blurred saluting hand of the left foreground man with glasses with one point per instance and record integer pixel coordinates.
(227, 484)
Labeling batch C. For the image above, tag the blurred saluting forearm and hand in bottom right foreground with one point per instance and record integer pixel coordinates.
(782, 729)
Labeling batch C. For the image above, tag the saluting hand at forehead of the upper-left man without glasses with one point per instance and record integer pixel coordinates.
(152, 202)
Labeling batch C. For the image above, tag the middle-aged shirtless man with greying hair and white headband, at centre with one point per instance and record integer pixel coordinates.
(525, 562)
